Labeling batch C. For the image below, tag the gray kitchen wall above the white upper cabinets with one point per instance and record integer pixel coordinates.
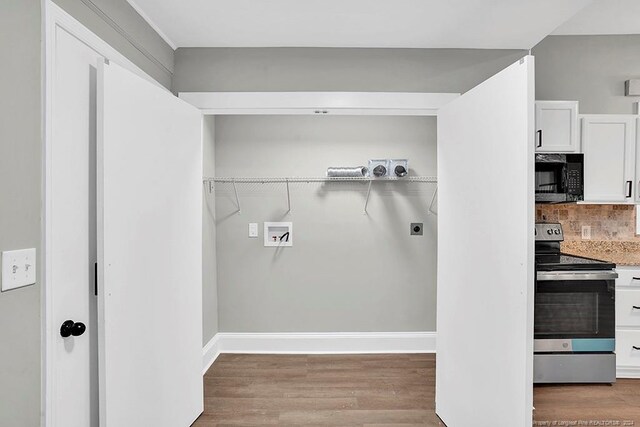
(590, 69)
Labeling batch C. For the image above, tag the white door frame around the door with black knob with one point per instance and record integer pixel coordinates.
(55, 18)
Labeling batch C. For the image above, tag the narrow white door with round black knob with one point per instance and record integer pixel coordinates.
(72, 391)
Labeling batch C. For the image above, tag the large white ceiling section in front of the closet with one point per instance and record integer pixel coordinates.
(508, 24)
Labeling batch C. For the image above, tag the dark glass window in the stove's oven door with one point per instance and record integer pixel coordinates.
(566, 314)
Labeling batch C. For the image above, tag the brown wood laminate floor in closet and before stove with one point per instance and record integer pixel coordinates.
(374, 390)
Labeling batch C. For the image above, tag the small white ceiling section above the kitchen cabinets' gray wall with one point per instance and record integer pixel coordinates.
(605, 17)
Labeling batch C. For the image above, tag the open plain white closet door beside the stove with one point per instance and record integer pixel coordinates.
(484, 369)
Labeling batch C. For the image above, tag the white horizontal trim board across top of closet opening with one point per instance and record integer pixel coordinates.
(319, 103)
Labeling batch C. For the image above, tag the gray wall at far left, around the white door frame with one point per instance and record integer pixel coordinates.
(21, 174)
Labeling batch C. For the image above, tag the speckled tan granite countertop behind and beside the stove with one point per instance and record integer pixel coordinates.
(619, 252)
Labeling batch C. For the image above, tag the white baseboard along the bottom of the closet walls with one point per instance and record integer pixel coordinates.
(318, 343)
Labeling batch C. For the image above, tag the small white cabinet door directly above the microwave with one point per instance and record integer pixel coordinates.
(557, 127)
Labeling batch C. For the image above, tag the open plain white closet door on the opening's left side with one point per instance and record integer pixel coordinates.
(149, 254)
